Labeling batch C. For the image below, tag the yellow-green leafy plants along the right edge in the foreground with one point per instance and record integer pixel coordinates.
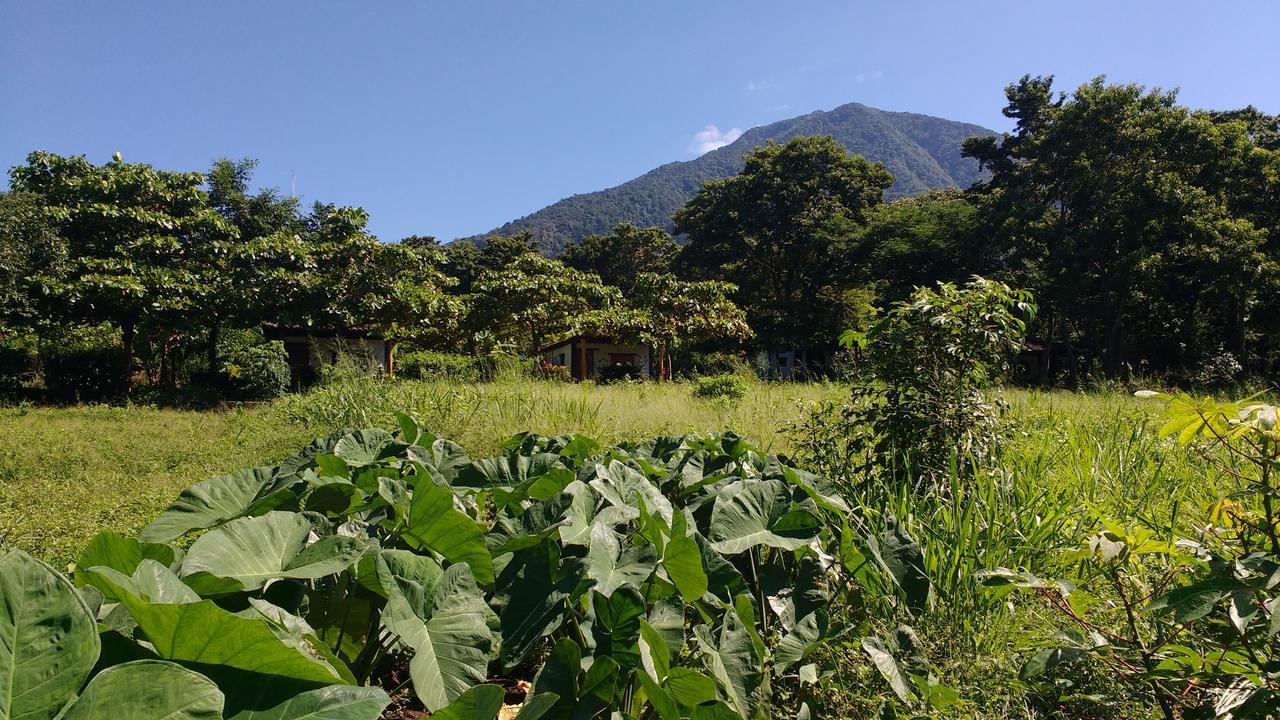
(1192, 621)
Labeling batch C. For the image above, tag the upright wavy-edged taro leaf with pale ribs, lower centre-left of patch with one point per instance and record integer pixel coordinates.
(454, 648)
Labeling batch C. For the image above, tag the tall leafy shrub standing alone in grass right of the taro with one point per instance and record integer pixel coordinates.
(932, 358)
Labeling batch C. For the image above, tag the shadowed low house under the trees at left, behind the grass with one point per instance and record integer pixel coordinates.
(310, 349)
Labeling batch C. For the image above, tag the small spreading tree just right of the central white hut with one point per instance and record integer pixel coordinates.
(675, 313)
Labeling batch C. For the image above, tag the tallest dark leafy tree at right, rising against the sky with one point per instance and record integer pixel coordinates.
(1107, 200)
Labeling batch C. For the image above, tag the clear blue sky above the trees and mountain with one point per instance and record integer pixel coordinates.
(451, 119)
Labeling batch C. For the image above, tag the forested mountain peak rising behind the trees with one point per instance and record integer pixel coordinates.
(922, 152)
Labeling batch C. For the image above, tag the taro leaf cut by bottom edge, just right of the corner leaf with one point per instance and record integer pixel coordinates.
(148, 690)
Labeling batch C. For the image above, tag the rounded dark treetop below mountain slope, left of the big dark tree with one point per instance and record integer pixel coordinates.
(623, 256)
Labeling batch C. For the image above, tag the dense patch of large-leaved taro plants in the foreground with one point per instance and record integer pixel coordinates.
(683, 577)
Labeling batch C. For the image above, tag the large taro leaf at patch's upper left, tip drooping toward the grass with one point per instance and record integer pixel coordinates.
(212, 503)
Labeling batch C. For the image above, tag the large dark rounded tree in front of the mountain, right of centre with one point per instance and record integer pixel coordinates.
(776, 233)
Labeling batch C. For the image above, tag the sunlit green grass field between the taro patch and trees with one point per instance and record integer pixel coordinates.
(1075, 462)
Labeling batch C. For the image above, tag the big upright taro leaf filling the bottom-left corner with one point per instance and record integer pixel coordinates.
(48, 640)
